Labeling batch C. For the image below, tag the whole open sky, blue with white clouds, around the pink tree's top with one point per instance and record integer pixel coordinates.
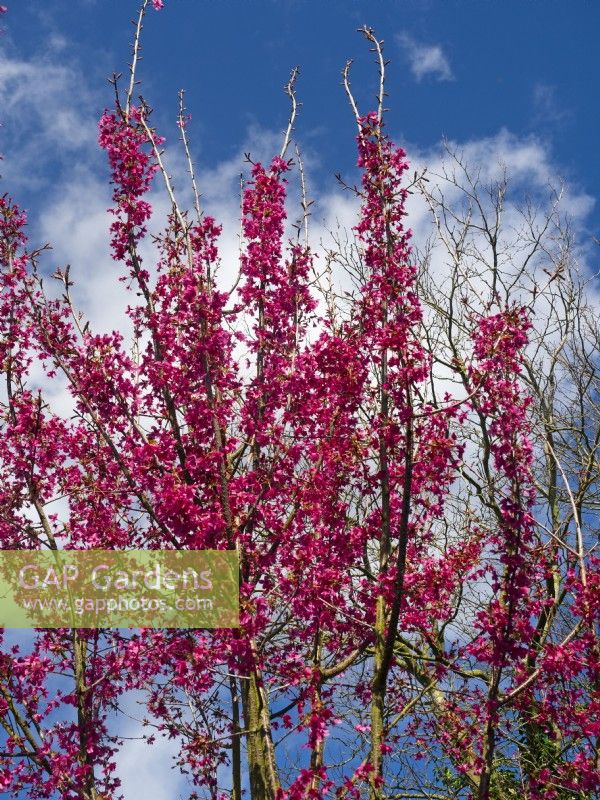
(505, 79)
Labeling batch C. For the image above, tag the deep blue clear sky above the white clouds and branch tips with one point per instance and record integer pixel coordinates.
(461, 69)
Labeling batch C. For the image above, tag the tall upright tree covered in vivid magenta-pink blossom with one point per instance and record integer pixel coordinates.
(419, 591)
